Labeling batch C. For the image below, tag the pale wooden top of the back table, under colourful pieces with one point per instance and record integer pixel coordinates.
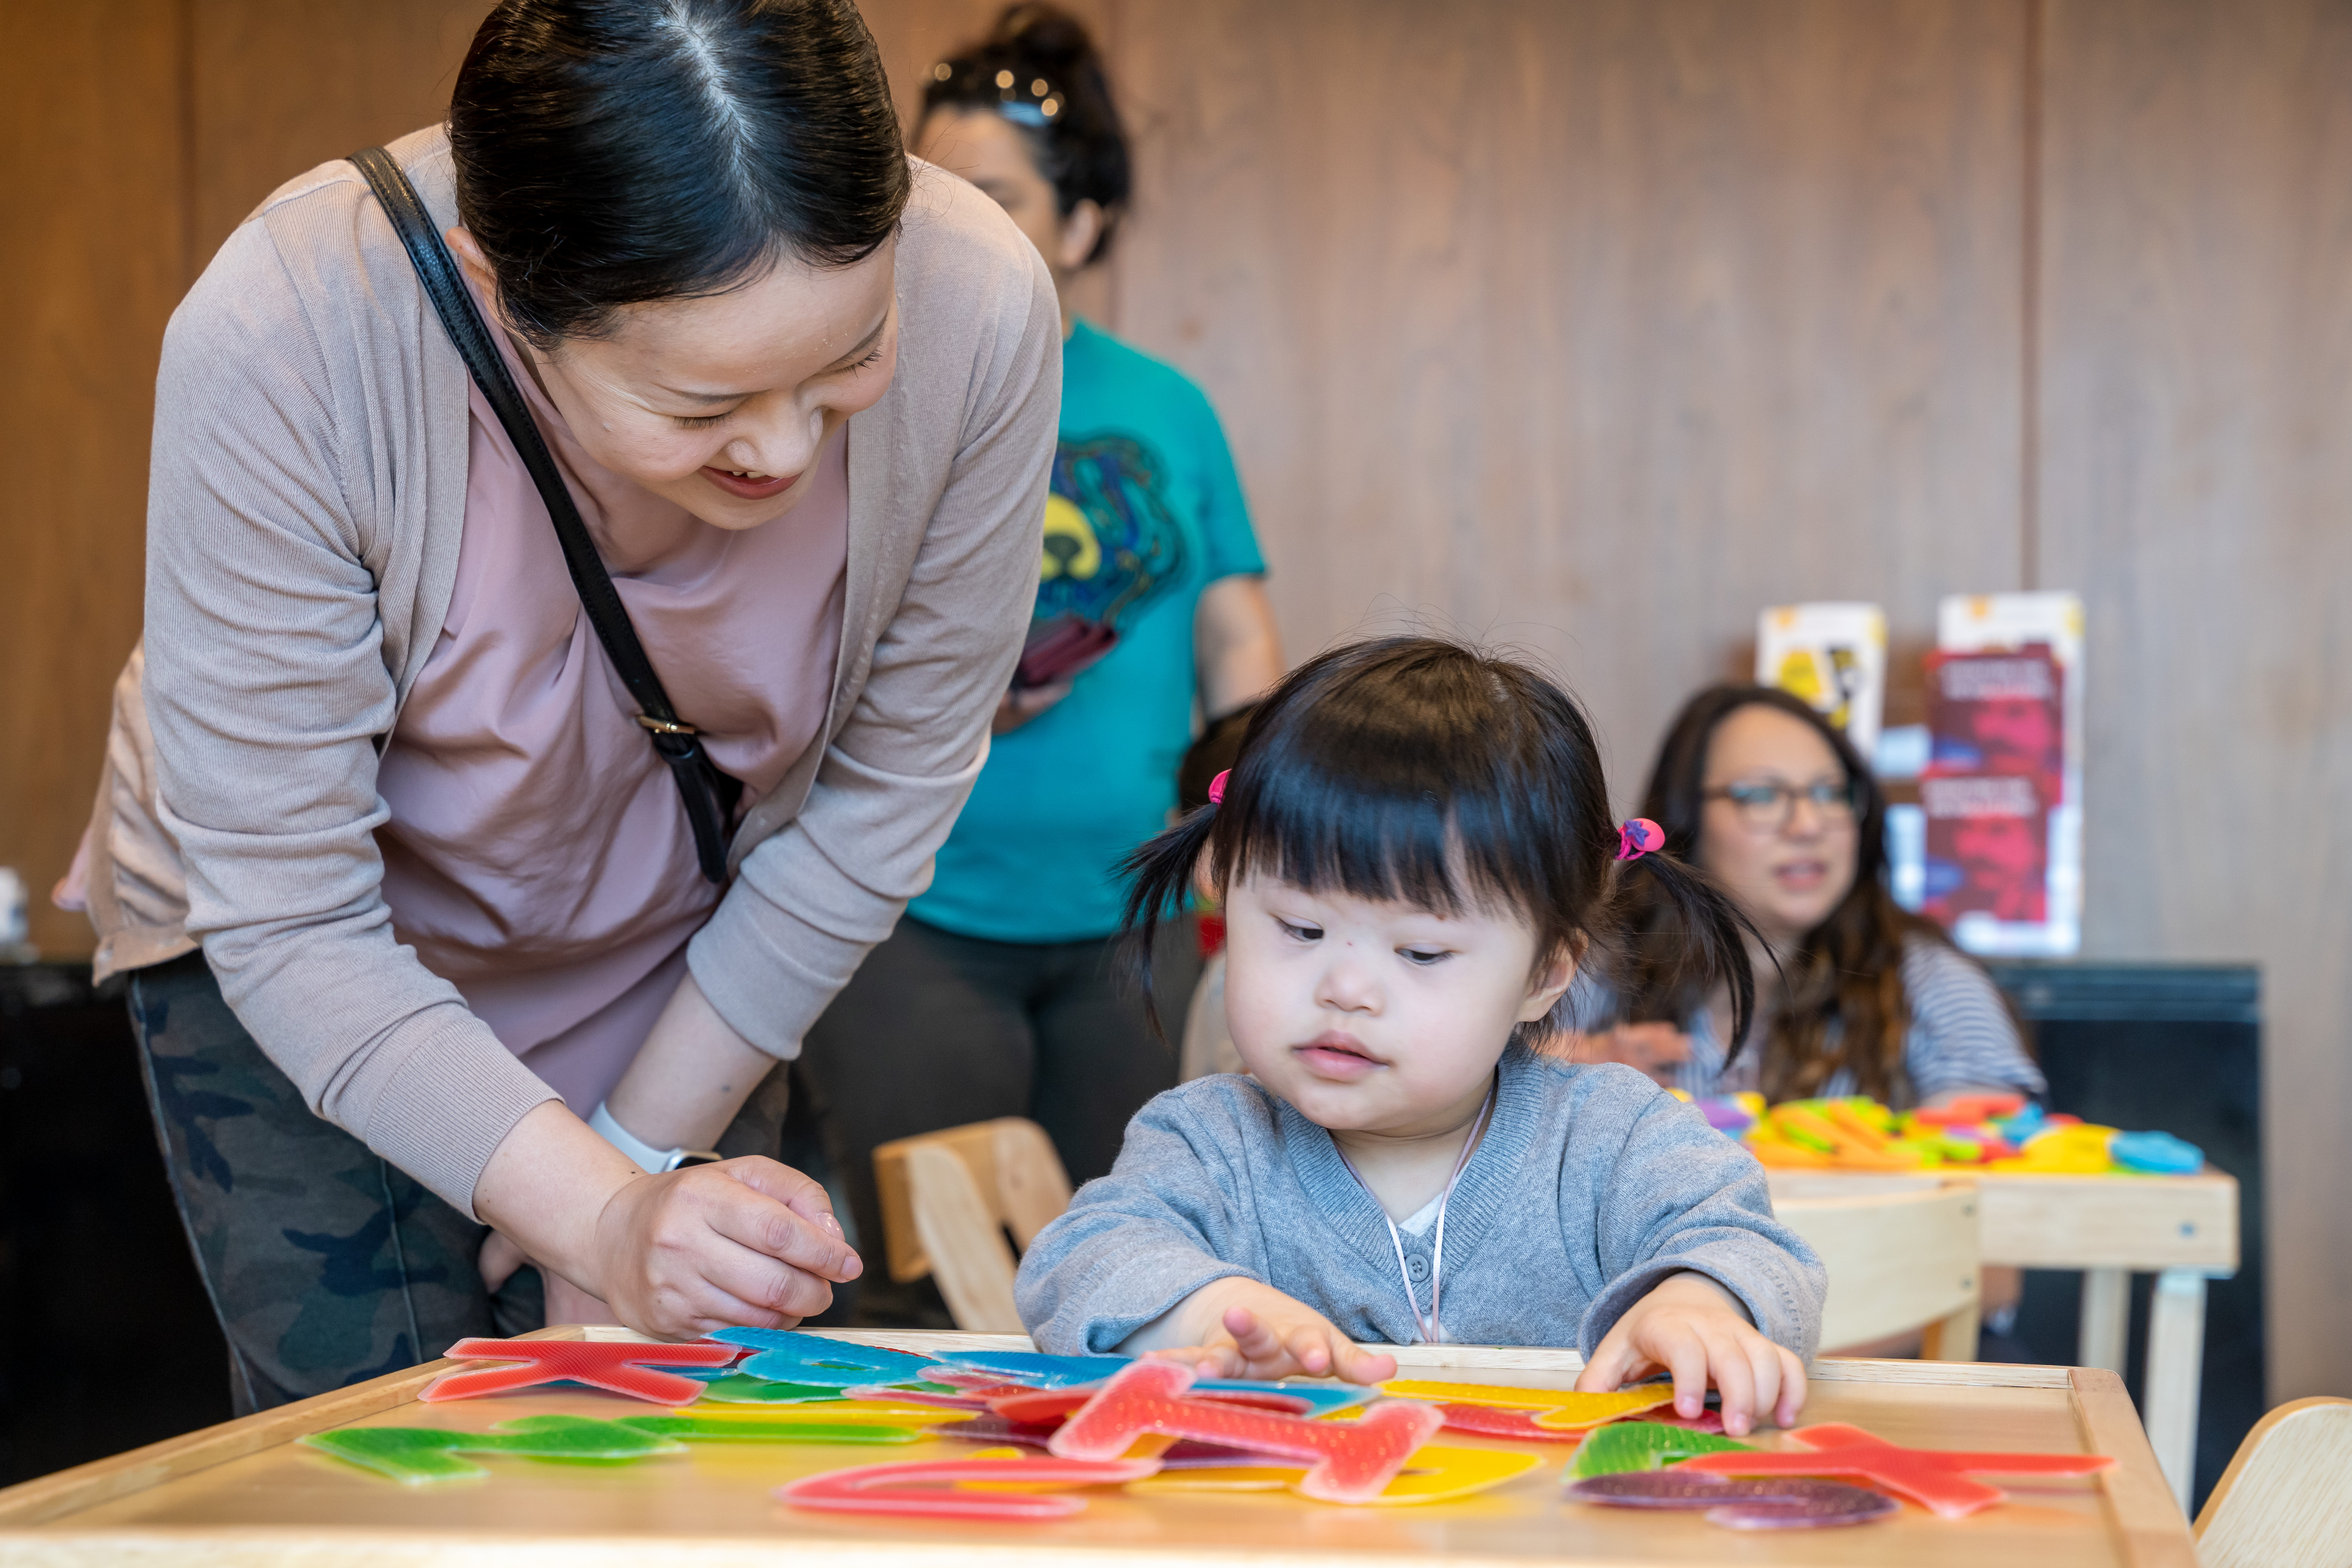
(2036, 1221)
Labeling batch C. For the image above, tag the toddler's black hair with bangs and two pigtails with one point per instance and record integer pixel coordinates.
(1429, 772)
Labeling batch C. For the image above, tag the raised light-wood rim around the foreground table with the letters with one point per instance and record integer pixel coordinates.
(36, 1517)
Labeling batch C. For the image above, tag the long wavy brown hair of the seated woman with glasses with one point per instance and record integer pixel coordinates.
(1843, 1000)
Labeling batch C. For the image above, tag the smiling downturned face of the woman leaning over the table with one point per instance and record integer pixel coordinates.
(723, 403)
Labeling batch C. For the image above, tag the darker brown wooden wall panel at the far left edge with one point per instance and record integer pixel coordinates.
(91, 262)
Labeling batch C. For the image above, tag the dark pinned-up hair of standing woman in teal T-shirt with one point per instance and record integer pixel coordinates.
(1041, 72)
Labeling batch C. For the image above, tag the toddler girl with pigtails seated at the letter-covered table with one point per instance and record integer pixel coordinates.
(1415, 852)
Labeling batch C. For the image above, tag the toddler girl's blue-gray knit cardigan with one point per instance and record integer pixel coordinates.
(1591, 1188)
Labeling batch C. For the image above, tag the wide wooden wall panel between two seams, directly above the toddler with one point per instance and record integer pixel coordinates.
(1596, 328)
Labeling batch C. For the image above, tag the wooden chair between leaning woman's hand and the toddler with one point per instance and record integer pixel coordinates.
(949, 1200)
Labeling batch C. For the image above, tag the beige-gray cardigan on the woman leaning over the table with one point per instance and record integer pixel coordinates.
(305, 523)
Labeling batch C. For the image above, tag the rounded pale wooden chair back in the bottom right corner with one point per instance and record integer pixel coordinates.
(2287, 1496)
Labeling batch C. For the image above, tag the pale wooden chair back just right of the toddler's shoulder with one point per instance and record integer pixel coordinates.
(1899, 1264)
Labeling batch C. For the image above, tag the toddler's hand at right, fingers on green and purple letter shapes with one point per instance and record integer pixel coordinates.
(1697, 1332)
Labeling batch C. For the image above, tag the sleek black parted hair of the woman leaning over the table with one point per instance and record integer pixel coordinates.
(620, 152)
